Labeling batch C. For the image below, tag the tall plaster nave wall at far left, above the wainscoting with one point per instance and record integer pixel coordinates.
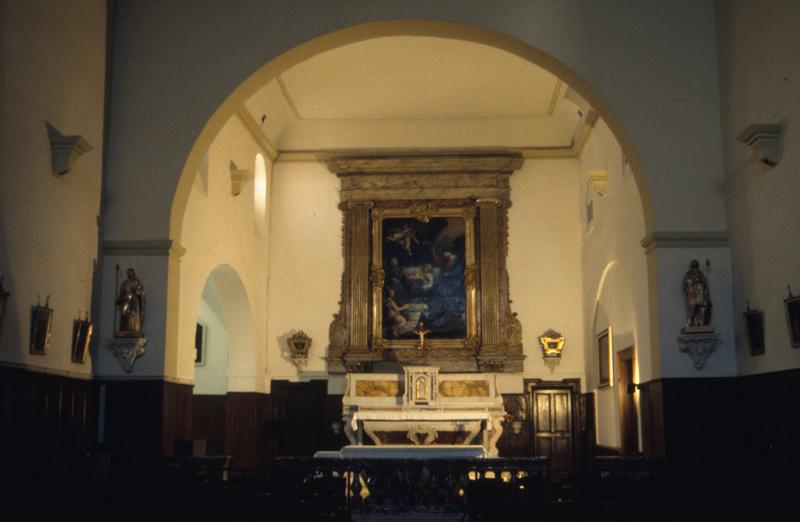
(53, 66)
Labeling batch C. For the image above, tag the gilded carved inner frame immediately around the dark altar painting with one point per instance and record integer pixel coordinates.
(424, 211)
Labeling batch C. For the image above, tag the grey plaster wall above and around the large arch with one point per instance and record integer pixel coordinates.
(654, 62)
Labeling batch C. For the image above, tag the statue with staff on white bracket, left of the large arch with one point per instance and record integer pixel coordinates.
(129, 341)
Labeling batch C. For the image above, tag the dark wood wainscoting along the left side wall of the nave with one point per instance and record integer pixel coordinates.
(47, 422)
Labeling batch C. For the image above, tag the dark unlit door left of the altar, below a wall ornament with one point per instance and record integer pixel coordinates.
(299, 413)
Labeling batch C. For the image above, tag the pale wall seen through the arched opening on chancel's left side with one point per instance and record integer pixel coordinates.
(211, 378)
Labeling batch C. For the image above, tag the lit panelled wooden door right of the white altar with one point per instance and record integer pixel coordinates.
(552, 426)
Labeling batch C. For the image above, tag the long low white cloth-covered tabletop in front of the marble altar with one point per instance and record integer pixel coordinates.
(405, 451)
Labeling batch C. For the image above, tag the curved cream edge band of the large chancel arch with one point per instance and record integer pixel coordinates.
(372, 30)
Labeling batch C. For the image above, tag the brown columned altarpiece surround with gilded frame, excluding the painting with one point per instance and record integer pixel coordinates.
(425, 187)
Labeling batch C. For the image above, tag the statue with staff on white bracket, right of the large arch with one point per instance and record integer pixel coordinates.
(697, 337)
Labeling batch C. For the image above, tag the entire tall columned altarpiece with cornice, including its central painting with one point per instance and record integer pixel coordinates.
(425, 242)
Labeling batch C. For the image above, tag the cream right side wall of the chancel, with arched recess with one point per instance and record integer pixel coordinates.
(614, 273)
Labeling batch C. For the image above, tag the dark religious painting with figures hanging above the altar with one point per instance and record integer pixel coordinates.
(423, 262)
